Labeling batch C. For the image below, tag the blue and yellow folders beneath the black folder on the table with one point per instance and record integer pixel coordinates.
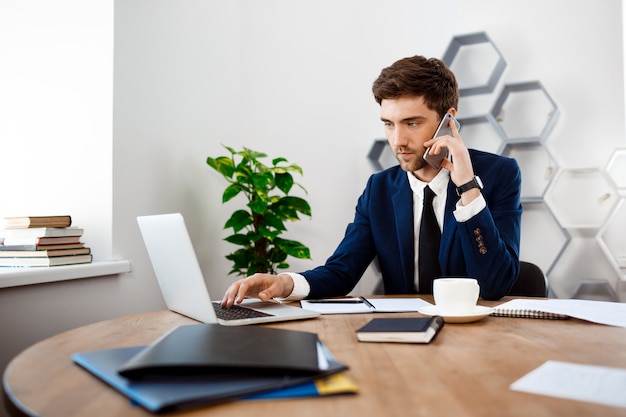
(184, 392)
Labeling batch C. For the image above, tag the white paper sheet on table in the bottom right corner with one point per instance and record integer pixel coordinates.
(597, 384)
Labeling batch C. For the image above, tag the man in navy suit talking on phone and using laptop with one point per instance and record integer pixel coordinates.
(479, 220)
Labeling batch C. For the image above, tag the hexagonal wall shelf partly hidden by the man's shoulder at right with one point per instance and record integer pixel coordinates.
(537, 165)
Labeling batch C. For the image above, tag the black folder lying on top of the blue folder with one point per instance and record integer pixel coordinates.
(201, 349)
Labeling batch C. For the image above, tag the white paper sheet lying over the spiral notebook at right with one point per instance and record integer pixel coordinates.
(602, 312)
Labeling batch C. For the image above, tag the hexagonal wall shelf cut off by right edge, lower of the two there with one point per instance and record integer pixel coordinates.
(612, 238)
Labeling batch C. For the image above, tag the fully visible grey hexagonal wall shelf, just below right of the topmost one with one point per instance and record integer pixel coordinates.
(525, 112)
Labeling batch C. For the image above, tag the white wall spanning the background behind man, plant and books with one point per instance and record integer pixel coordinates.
(291, 78)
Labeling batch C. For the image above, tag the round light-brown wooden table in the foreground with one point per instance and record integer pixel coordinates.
(465, 372)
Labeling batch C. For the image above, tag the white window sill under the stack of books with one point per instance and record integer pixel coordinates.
(15, 277)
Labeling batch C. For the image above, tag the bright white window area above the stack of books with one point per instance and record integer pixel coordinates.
(56, 113)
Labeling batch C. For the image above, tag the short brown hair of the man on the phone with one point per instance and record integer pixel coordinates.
(419, 76)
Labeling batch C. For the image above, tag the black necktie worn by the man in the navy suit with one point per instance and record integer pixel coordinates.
(430, 237)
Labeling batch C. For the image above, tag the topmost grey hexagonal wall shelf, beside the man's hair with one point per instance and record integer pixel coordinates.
(476, 62)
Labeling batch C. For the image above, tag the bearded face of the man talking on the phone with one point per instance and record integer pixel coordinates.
(408, 124)
